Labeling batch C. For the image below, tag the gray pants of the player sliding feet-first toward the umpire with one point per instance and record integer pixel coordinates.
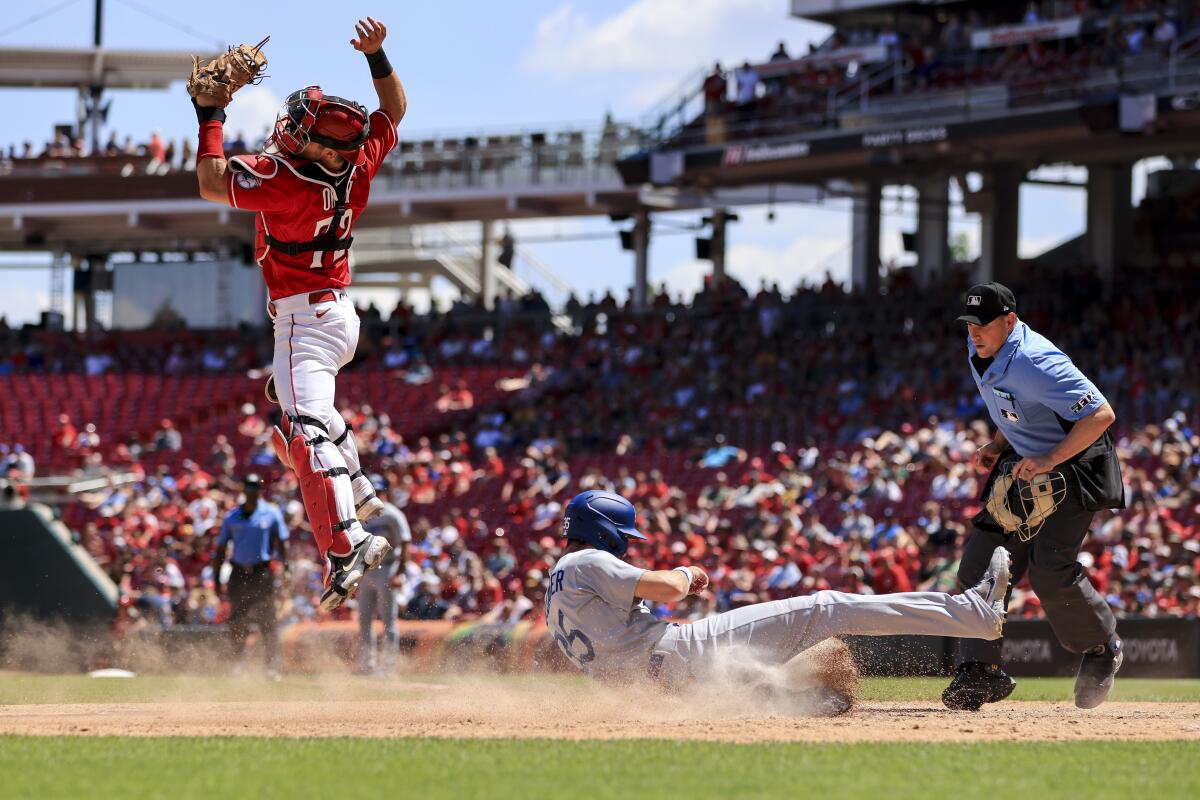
(776, 633)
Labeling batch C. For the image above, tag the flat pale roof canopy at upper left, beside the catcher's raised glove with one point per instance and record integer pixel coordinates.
(32, 68)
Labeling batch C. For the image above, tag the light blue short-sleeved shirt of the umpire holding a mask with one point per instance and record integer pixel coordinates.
(1034, 393)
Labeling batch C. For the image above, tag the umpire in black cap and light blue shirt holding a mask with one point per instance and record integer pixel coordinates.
(1053, 466)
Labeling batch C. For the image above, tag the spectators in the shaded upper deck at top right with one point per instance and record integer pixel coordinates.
(935, 50)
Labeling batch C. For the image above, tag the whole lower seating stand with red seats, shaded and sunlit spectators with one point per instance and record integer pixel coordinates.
(789, 444)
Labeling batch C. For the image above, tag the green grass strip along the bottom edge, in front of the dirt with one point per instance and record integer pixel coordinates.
(428, 768)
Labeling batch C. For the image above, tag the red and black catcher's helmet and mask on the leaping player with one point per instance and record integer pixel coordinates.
(313, 116)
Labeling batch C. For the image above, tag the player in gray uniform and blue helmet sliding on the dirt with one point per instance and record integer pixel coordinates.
(596, 609)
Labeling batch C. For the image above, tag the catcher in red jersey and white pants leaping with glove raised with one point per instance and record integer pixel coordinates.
(307, 189)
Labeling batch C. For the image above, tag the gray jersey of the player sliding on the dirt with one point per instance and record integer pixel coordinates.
(596, 618)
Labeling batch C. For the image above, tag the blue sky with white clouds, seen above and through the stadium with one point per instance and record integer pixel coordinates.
(481, 65)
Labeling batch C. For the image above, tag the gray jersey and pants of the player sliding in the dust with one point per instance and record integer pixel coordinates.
(609, 634)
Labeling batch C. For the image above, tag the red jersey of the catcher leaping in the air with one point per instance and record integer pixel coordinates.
(296, 201)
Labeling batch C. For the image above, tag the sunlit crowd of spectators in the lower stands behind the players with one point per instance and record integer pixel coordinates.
(889, 514)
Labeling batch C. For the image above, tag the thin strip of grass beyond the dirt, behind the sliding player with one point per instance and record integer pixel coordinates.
(20, 689)
